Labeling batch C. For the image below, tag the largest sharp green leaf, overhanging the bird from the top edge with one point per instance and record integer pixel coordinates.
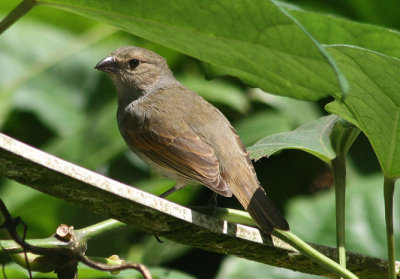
(255, 41)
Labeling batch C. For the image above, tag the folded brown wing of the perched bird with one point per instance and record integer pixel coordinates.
(181, 152)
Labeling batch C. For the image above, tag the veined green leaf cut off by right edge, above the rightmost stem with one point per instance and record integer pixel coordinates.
(373, 103)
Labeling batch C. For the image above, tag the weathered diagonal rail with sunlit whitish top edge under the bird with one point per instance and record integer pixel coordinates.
(112, 199)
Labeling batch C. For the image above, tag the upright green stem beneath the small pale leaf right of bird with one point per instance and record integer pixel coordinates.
(339, 176)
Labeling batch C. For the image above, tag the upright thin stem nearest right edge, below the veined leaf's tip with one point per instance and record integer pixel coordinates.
(388, 193)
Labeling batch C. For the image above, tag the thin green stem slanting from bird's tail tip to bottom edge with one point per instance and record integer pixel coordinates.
(313, 254)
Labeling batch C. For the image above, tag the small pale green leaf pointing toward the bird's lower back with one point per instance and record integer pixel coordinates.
(313, 138)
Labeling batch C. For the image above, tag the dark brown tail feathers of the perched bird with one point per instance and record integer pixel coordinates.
(265, 213)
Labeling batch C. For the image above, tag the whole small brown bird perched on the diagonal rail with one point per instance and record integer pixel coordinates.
(183, 136)
